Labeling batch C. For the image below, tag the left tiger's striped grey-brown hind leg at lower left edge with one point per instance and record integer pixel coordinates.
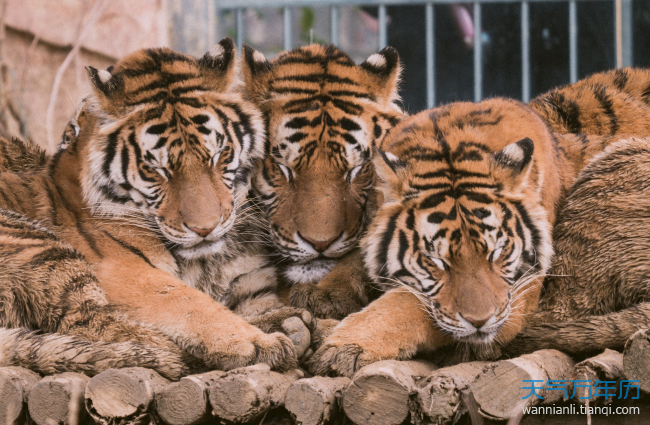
(46, 285)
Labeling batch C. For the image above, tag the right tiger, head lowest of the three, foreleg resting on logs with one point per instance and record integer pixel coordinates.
(472, 192)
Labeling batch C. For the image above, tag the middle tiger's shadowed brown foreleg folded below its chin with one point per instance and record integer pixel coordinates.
(342, 291)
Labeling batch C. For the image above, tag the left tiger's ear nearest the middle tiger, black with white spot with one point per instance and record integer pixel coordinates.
(218, 65)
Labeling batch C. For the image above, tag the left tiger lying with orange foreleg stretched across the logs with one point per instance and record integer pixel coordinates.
(150, 189)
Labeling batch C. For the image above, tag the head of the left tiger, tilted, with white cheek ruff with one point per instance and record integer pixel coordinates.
(174, 143)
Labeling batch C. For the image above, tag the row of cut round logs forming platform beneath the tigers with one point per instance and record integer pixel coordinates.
(387, 392)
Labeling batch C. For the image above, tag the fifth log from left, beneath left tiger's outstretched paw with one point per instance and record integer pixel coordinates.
(248, 393)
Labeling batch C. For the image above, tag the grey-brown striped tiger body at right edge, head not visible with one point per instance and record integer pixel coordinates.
(596, 294)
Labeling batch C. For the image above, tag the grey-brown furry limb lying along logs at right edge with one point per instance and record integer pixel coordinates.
(584, 336)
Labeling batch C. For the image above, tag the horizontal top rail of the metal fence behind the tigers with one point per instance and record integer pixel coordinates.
(233, 4)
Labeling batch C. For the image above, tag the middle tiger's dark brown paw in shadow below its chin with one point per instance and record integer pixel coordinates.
(324, 303)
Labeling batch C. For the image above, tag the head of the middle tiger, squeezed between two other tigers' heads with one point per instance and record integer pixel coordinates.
(324, 115)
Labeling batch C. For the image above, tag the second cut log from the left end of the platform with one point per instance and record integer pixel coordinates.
(59, 399)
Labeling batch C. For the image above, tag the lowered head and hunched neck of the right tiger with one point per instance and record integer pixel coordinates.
(470, 193)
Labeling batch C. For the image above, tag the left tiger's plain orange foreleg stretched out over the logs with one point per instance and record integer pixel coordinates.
(198, 324)
